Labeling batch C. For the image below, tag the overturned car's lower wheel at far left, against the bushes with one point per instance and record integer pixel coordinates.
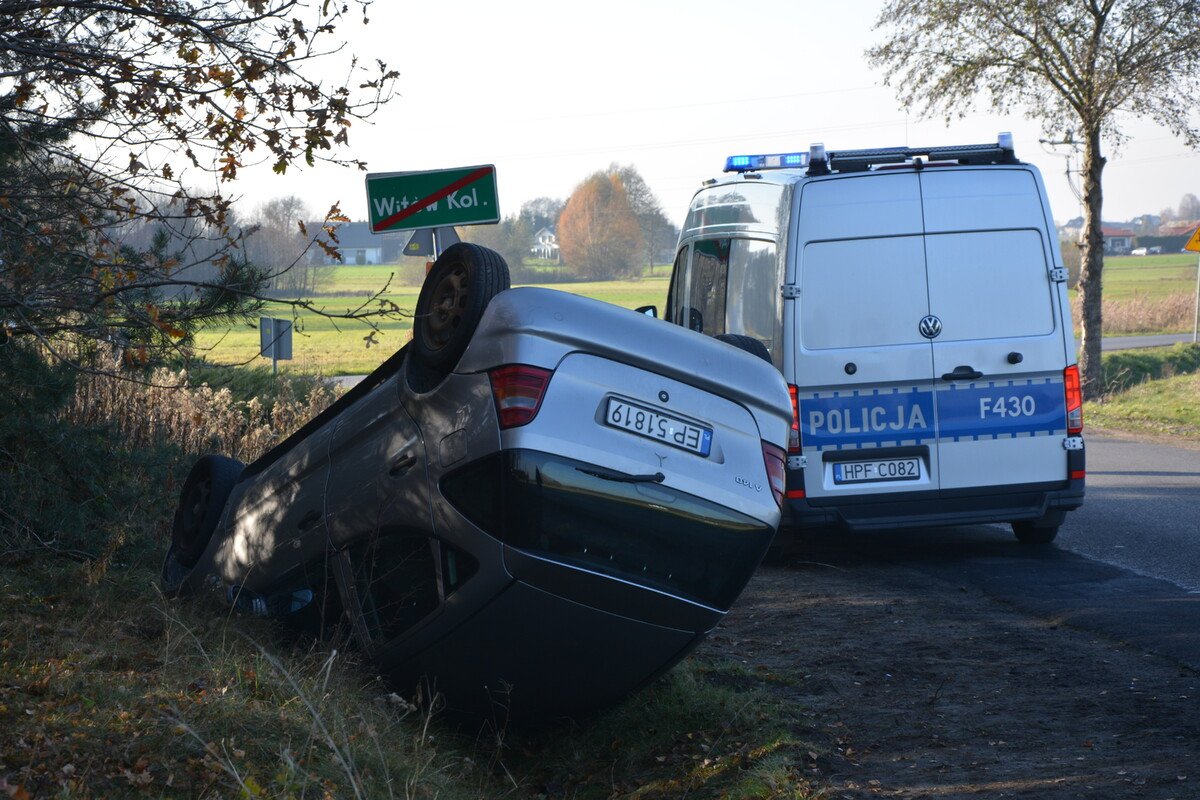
(201, 503)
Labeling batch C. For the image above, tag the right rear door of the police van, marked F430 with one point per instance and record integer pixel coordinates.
(1000, 354)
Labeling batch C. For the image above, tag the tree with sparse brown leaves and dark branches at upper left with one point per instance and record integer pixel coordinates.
(113, 113)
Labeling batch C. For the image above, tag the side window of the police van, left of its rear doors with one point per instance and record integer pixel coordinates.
(731, 286)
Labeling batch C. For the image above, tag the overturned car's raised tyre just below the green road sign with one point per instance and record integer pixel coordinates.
(458, 290)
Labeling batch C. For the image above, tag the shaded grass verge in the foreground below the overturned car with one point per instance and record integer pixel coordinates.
(109, 690)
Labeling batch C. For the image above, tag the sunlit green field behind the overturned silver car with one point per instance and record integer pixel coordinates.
(322, 346)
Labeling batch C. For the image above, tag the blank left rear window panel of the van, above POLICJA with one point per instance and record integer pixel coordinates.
(862, 293)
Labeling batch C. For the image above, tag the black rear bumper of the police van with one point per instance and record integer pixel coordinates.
(965, 507)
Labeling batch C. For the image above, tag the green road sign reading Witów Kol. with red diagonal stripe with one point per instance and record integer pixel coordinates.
(434, 199)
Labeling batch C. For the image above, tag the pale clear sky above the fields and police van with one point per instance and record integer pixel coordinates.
(551, 93)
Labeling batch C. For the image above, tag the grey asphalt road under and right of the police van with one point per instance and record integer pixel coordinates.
(1126, 566)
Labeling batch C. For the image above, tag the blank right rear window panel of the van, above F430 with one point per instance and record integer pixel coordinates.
(989, 285)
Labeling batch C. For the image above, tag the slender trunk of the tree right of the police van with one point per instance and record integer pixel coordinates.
(1090, 369)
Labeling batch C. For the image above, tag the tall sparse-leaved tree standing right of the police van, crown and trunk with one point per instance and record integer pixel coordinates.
(1075, 65)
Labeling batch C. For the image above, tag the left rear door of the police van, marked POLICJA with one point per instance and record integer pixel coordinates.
(865, 371)
